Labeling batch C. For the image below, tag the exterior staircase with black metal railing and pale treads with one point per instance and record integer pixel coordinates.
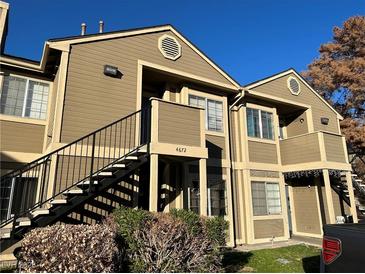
(72, 176)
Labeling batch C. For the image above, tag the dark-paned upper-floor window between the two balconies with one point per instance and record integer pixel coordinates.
(259, 124)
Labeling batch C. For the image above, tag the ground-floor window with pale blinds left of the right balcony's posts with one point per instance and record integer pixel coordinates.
(265, 198)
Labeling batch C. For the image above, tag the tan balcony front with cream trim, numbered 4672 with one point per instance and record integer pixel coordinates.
(177, 129)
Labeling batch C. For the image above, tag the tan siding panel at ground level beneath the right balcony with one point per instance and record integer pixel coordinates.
(306, 209)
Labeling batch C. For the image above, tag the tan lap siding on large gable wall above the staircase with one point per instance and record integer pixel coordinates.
(92, 99)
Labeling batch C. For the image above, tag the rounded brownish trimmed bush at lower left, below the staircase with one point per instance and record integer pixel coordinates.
(70, 248)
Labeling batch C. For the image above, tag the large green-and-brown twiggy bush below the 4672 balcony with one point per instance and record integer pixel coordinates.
(176, 242)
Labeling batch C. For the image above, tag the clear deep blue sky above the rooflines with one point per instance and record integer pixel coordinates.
(248, 39)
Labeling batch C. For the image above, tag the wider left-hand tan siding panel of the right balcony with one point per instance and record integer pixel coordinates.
(300, 149)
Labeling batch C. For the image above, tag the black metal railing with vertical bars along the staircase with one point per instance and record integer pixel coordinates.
(49, 177)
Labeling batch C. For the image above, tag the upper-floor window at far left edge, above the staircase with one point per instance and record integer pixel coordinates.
(24, 97)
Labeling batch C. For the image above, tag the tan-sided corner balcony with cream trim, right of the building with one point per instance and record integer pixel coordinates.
(314, 151)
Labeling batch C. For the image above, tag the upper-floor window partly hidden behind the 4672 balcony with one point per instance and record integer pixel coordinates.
(213, 109)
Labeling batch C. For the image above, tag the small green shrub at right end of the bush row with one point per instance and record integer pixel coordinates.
(216, 229)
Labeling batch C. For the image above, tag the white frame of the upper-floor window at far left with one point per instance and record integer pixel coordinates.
(26, 94)
